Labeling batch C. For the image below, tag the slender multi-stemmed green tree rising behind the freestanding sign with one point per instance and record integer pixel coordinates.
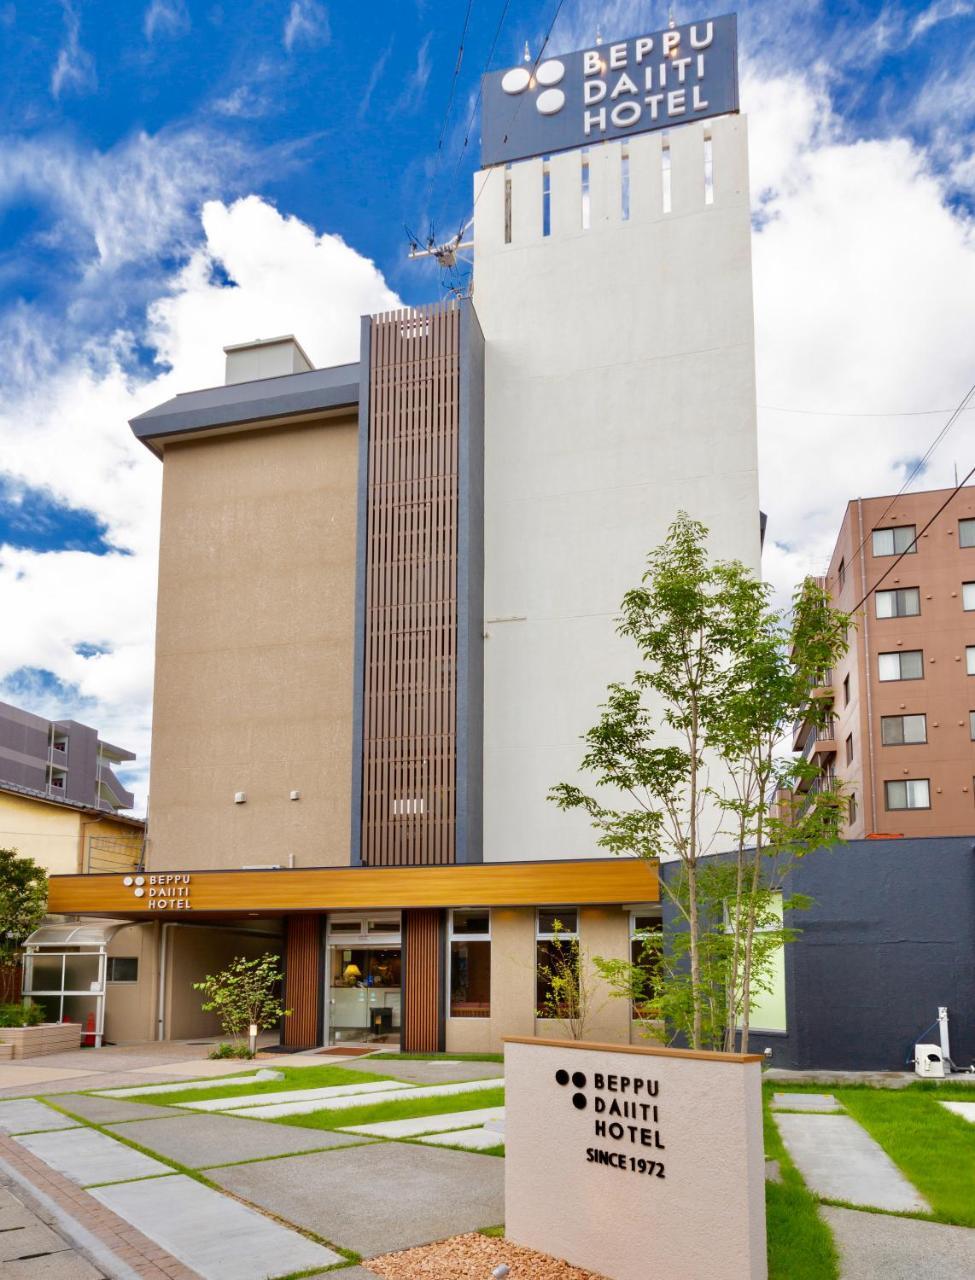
(688, 752)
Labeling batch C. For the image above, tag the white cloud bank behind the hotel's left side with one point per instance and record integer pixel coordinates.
(70, 433)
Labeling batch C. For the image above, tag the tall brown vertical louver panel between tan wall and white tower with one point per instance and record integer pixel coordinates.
(410, 679)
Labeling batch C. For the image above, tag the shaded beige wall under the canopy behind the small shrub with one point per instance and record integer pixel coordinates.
(194, 953)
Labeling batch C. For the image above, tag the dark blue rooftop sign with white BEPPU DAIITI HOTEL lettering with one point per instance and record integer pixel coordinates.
(649, 83)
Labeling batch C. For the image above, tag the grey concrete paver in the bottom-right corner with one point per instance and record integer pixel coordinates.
(900, 1249)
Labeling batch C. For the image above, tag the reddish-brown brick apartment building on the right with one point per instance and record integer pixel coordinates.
(903, 735)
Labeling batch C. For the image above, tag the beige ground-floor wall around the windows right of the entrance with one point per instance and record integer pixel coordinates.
(603, 932)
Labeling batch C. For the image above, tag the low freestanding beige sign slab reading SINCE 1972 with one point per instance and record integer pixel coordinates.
(630, 1160)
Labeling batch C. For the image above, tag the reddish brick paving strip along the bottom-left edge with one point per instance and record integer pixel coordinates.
(109, 1241)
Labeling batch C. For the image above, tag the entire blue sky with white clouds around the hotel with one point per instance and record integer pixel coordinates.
(176, 175)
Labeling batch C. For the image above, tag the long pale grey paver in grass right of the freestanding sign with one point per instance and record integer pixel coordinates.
(840, 1160)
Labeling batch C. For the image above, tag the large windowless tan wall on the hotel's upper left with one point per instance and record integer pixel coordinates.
(255, 650)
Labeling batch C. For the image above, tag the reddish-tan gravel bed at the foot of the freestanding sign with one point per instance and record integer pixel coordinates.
(474, 1258)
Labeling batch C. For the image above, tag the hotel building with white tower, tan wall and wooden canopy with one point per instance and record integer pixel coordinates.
(388, 596)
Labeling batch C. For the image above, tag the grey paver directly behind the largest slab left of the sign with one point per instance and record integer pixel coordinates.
(203, 1141)
